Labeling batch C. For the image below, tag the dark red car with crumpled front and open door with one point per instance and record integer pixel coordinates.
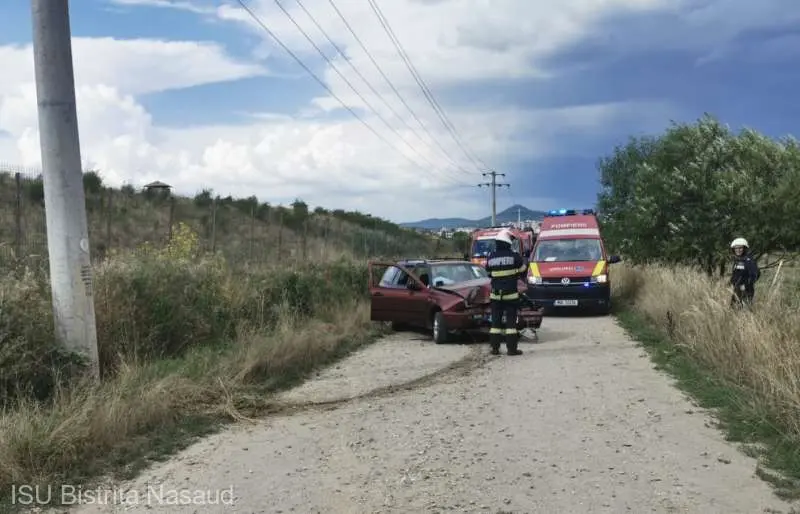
(444, 296)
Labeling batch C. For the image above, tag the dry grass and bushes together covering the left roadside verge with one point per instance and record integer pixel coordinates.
(185, 341)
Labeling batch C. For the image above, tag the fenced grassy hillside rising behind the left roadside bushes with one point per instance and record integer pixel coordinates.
(244, 230)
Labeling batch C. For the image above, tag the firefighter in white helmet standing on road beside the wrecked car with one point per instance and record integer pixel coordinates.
(505, 266)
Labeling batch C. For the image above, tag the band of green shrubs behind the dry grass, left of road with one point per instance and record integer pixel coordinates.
(159, 304)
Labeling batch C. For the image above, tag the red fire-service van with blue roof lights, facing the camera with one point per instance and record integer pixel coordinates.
(569, 264)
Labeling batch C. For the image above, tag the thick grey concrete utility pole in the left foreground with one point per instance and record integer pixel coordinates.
(64, 200)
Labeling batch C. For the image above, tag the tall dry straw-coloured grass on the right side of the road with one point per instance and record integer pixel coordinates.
(758, 350)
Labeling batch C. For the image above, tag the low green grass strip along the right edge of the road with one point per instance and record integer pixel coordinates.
(737, 410)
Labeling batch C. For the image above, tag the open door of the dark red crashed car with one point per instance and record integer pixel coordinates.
(389, 296)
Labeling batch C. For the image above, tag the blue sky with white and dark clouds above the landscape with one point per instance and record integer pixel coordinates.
(197, 94)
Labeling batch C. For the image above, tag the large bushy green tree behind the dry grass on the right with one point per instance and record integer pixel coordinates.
(681, 197)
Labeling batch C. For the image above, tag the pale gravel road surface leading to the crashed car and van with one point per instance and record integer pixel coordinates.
(580, 423)
